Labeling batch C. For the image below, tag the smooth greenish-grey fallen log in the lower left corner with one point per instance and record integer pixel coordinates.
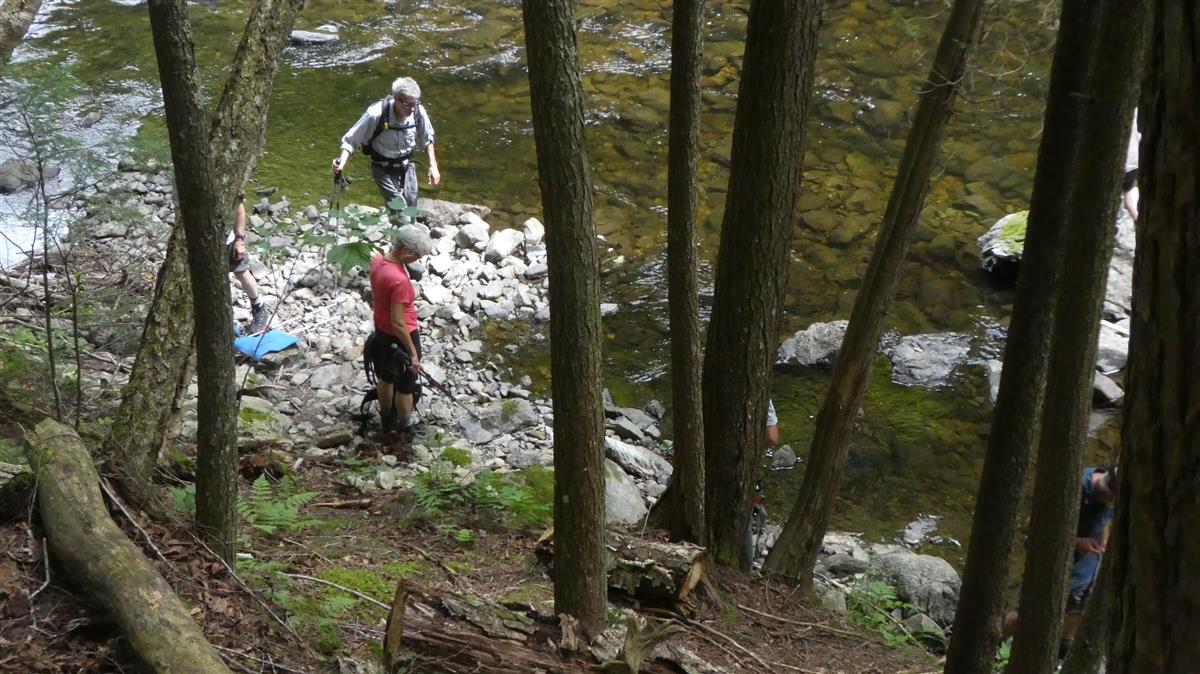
(101, 561)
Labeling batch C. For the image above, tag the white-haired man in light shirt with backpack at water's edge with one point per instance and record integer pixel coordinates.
(389, 133)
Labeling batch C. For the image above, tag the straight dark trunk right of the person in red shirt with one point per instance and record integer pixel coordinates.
(556, 95)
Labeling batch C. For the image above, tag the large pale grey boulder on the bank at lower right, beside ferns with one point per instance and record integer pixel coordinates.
(927, 582)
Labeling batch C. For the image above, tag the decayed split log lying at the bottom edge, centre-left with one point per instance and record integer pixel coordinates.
(443, 633)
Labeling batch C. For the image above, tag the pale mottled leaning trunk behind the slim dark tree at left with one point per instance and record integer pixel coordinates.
(237, 137)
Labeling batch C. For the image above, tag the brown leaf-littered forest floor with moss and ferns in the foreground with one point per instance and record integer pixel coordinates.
(266, 618)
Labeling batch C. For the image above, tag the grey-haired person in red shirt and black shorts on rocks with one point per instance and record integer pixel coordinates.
(394, 350)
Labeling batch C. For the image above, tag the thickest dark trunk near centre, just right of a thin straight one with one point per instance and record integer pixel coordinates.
(752, 268)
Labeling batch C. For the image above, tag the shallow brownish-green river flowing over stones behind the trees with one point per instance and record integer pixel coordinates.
(916, 450)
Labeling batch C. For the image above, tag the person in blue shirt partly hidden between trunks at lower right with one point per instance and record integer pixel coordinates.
(1099, 494)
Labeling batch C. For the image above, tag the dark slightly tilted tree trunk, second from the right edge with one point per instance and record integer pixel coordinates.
(1109, 95)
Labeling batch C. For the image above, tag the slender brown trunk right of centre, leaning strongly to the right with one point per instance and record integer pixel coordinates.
(797, 549)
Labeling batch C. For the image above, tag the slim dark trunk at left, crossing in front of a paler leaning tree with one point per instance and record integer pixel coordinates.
(205, 222)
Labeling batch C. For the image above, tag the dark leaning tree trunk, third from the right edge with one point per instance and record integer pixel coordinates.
(1017, 416)
